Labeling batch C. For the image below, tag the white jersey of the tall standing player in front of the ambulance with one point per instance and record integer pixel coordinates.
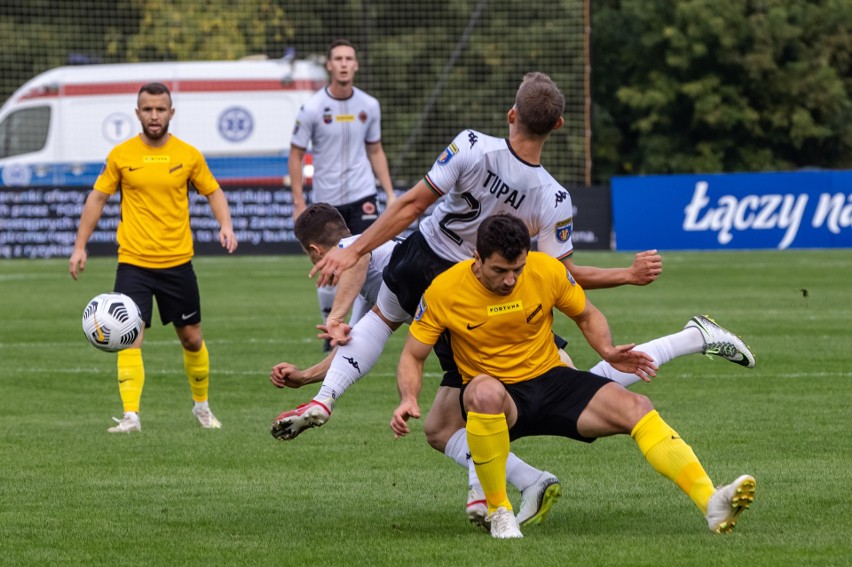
(336, 131)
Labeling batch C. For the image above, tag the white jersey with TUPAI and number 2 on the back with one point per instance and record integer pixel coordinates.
(478, 176)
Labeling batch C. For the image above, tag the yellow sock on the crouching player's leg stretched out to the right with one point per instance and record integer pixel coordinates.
(673, 458)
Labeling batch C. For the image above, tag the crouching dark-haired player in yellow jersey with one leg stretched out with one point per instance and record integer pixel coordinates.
(498, 308)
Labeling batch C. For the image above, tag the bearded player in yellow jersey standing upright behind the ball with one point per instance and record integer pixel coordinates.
(152, 171)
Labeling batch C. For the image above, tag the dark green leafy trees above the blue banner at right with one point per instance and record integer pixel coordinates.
(721, 85)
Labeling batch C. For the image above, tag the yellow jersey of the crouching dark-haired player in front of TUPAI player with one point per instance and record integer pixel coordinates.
(508, 337)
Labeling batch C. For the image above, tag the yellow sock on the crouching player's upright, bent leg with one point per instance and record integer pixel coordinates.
(488, 441)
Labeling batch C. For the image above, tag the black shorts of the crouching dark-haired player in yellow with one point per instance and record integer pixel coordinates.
(551, 404)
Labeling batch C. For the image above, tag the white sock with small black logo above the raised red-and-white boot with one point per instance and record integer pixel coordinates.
(356, 358)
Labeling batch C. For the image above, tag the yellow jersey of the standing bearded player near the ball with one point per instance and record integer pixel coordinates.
(154, 229)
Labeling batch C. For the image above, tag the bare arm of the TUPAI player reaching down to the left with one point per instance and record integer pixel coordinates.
(405, 210)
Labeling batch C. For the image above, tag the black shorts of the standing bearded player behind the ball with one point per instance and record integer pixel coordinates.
(176, 290)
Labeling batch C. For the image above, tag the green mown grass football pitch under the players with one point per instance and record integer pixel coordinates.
(348, 494)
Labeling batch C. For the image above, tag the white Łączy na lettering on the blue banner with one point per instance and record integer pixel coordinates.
(764, 212)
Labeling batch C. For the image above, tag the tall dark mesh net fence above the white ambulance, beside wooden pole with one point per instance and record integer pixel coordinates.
(436, 68)
